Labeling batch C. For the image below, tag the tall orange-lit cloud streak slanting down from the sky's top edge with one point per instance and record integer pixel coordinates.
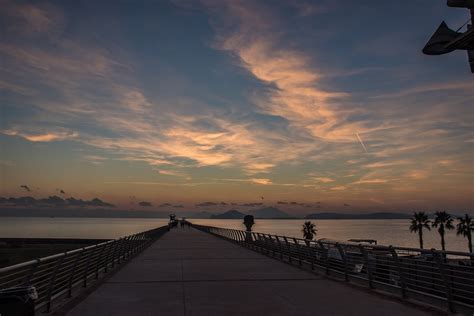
(294, 91)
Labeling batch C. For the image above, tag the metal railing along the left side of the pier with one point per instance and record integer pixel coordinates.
(60, 274)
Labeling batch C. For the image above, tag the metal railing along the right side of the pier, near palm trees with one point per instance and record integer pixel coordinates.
(432, 276)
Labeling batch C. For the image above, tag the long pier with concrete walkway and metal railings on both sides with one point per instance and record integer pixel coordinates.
(204, 270)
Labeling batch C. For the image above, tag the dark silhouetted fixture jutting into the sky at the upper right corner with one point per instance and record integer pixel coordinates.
(445, 40)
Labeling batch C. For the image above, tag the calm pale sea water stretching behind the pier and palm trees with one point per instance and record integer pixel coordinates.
(386, 232)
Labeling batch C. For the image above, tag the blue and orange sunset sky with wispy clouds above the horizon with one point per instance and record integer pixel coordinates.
(162, 105)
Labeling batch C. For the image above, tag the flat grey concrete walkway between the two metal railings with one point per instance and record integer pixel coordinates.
(188, 272)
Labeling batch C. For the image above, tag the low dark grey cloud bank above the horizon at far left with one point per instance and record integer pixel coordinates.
(53, 201)
